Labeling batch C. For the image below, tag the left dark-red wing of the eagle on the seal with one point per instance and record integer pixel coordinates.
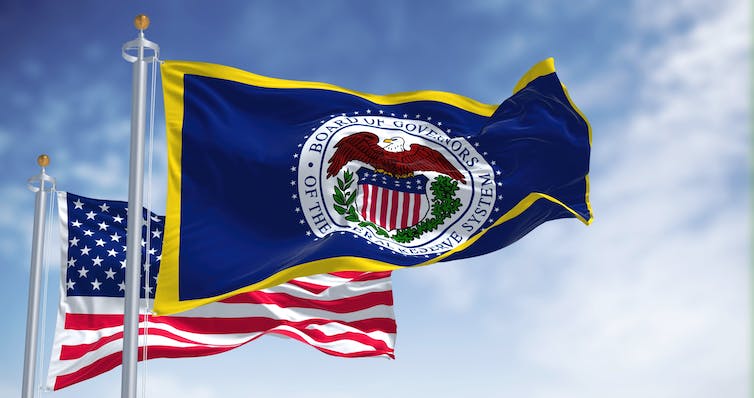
(360, 146)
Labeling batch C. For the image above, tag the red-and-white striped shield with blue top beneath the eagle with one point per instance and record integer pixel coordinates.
(392, 203)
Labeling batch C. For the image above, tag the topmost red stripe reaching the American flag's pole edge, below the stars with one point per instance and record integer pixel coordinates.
(223, 325)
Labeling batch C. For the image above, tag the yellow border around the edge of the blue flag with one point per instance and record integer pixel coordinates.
(167, 298)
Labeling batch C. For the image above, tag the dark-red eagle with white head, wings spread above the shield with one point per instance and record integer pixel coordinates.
(393, 159)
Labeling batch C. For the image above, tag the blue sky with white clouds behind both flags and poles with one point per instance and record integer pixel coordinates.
(652, 300)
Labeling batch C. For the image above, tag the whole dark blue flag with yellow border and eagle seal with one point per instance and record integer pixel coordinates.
(273, 179)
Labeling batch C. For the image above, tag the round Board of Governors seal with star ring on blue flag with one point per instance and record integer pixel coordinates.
(402, 184)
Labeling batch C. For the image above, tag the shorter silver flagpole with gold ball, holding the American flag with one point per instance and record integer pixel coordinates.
(46, 184)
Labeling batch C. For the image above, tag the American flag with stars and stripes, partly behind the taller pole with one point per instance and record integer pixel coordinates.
(347, 314)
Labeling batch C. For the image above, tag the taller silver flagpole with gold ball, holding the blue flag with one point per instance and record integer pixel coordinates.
(135, 203)
